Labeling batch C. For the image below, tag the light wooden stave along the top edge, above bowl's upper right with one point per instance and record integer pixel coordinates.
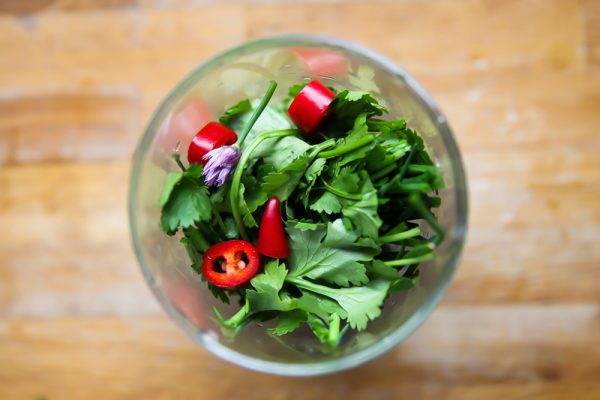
(508, 34)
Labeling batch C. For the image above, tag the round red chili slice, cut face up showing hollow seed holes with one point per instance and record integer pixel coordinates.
(230, 264)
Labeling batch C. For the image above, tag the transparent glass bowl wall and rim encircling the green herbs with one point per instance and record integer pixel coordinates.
(244, 72)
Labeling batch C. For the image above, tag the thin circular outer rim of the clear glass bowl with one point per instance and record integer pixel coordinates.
(415, 320)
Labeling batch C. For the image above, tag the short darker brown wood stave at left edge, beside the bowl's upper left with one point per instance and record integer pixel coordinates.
(81, 125)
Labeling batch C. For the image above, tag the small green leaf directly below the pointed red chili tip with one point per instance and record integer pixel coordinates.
(267, 287)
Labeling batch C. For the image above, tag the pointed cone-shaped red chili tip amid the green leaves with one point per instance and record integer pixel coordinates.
(272, 241)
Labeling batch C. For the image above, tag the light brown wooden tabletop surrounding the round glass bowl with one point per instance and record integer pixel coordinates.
(520, 83)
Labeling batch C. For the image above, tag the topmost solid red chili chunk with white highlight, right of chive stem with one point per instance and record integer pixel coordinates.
(310, 106)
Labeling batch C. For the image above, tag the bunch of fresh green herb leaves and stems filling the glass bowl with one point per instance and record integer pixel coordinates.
(355, 200)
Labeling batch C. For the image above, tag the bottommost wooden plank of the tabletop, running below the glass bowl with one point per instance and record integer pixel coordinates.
(461, 353)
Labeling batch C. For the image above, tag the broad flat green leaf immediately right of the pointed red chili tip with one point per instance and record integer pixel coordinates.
(334, 255)
